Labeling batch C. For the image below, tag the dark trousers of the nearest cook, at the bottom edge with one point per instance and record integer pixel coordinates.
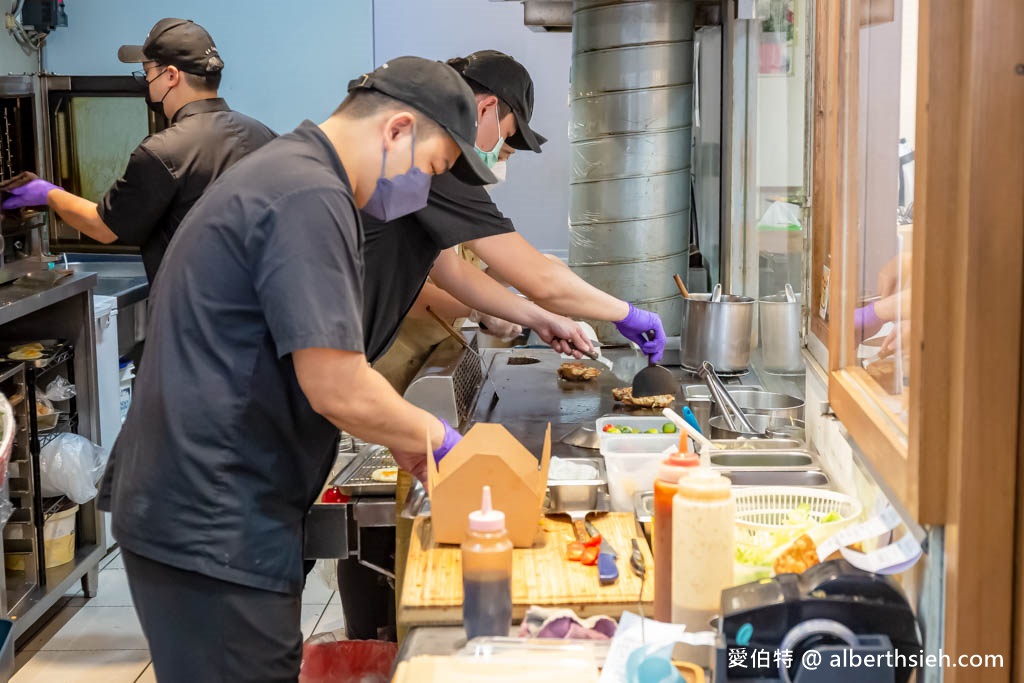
(202, 629)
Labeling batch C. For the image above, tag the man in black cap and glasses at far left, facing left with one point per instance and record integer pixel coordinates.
(182, 70)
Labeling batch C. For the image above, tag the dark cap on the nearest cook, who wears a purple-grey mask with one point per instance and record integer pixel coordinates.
(439, 92)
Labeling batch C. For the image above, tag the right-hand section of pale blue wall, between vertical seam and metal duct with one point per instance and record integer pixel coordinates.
(536, 196)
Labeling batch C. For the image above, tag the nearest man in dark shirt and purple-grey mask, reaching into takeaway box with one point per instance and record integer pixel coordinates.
(255, 360)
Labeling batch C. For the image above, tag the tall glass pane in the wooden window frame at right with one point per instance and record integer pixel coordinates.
(886, 117)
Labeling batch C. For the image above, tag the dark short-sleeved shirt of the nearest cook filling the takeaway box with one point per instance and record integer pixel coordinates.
(222, 455)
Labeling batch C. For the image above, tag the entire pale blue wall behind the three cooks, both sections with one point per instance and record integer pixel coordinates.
(283, 68)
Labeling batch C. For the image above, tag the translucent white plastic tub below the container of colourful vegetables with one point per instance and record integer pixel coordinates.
(632, 462)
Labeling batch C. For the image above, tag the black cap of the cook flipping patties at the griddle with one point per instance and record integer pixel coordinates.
(510, 81)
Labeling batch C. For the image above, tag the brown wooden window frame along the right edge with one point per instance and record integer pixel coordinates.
(957, 465)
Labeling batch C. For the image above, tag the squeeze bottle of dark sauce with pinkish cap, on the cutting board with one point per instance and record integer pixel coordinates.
(487, 574)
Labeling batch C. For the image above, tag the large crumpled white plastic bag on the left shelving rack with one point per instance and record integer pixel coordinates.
(71, 465)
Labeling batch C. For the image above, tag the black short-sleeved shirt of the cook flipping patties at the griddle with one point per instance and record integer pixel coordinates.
(399, 255)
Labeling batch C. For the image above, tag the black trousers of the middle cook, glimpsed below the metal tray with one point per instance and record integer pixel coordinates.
(368, 596)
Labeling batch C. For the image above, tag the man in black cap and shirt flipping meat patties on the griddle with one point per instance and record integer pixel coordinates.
(460, 214)
